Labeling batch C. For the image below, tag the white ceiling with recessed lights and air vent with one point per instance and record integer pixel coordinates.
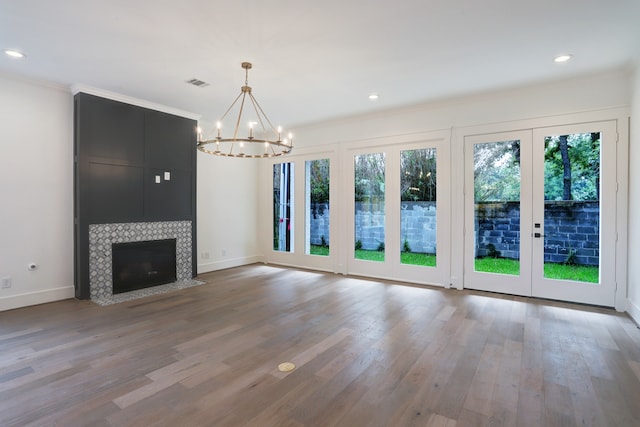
(313, 60)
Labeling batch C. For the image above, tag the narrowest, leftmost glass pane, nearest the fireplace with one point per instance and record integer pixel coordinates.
(283, 207)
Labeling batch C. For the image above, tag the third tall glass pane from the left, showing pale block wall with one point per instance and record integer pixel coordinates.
(369, 206)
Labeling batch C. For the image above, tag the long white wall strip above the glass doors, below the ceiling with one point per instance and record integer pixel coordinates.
(587, 93)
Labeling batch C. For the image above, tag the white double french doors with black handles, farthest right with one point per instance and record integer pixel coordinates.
(540, 212)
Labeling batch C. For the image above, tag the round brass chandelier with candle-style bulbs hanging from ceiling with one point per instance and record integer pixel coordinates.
(262, 138)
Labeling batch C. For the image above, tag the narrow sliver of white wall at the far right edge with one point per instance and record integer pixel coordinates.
(634, 204)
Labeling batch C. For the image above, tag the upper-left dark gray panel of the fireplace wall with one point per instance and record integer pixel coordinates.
(111, 130)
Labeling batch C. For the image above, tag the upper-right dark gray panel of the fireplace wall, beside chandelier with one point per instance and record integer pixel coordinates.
(169, 140)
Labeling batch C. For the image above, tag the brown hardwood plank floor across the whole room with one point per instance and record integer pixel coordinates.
(368, 353)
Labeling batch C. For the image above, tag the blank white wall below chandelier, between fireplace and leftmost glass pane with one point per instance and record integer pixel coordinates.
(227, 212)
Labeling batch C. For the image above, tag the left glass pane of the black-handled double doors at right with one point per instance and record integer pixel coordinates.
(497, 207)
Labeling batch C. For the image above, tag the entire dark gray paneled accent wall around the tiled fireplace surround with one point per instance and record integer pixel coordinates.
(119, 151)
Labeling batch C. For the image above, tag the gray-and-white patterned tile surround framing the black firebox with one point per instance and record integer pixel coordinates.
(102, 236)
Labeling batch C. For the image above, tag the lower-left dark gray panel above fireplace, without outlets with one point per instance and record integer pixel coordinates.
(116, 193)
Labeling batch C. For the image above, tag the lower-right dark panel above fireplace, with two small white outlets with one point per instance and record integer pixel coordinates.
(168, 200)
